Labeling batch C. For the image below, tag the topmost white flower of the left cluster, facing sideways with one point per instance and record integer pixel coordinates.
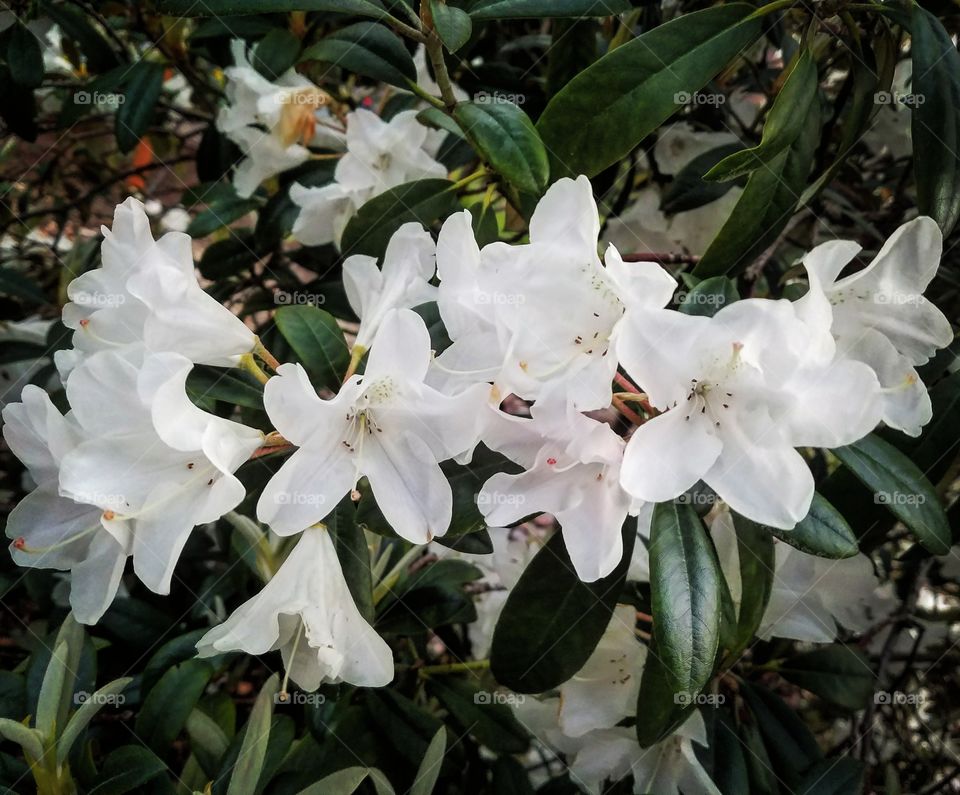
(145, 298)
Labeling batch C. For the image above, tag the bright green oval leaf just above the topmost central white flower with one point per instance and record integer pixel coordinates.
(506, 138)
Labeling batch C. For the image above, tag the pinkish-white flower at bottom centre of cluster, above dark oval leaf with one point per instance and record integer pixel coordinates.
(572, 471)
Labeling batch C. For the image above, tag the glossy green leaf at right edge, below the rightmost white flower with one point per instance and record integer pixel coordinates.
(899, 485)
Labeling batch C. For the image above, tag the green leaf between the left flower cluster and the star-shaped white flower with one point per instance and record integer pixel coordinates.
(318, 342)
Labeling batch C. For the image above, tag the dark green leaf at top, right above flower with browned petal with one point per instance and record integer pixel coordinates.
(368, 49)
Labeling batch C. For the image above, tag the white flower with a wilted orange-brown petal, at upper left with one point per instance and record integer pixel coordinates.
(273, 123)
